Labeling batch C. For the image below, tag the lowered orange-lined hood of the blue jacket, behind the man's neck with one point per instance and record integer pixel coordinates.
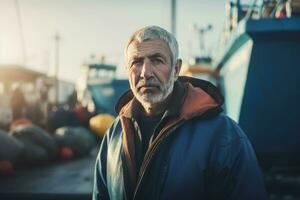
(200, 97)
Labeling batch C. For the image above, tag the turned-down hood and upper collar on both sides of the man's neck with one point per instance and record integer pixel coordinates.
(193, 97)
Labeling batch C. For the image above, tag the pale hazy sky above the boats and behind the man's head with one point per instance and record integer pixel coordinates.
(97, 28)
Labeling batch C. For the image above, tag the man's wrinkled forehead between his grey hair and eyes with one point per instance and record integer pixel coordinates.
(147, 48)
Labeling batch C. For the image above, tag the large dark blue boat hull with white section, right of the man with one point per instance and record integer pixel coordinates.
(259, 67)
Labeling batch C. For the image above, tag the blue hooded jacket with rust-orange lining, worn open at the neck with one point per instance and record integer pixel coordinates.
(198, 154)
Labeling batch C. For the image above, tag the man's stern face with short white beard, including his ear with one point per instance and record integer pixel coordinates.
(151, 75)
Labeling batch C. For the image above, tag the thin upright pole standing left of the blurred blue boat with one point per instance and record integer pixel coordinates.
(56, 73)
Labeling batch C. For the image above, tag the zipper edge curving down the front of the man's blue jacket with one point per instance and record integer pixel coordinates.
(151, 153)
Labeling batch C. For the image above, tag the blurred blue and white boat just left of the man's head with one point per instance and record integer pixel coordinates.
(99, 89)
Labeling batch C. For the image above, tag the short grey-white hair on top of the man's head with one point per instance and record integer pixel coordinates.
(153, 33)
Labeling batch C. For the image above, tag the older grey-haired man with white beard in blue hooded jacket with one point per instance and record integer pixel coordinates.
(170, 140)
